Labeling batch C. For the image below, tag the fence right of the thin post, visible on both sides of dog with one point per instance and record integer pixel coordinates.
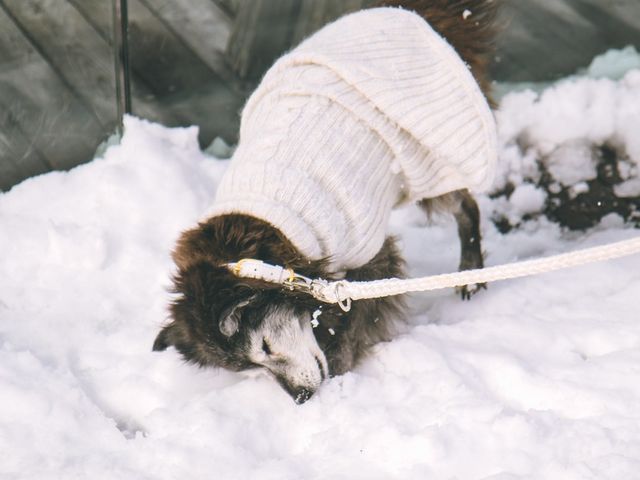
(196, 61)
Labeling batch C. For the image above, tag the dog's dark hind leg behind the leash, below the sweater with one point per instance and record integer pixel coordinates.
(465, 210)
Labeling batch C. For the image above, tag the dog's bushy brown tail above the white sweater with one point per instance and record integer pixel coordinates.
(468, 25)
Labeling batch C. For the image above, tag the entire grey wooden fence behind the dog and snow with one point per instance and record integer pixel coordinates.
(195, 62)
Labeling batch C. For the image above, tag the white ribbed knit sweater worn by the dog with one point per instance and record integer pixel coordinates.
(373, 109)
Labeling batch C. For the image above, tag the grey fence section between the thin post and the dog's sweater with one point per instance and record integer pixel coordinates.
(194, 62)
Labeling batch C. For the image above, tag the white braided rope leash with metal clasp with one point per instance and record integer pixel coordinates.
(343, 291)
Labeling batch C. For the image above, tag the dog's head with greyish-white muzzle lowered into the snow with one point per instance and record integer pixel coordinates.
(222, 320)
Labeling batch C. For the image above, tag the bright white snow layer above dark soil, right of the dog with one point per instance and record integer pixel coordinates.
(570, 114)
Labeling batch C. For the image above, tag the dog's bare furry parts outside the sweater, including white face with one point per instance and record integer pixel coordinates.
(219, 319)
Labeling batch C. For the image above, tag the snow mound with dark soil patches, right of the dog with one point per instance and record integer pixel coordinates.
(575, 144)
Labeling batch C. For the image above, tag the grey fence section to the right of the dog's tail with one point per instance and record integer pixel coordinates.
(544, 40)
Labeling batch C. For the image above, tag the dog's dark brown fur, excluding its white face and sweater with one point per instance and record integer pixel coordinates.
(206, 289)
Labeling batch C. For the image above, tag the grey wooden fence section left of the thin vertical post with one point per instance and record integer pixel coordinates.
(57, 86)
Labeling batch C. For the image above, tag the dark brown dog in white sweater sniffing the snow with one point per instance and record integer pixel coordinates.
(341, 123)
